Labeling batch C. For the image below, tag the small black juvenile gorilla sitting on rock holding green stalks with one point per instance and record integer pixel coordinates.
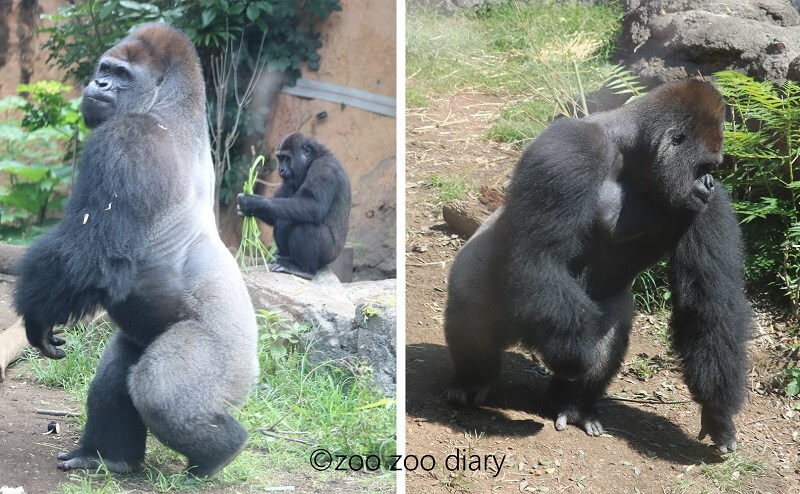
(310, 211)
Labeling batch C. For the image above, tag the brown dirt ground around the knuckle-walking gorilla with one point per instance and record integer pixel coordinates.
(649, 448)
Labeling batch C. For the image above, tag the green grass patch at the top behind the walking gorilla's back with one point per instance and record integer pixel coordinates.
(550, 53)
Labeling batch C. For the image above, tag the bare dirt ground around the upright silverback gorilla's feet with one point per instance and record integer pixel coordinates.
(28, 455)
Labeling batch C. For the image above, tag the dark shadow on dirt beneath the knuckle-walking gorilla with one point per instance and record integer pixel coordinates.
(521, 388)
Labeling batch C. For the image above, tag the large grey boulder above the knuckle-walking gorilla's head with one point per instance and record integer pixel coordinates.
(665, 40)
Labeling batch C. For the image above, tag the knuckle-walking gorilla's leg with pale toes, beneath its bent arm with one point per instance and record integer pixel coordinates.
(574, 401)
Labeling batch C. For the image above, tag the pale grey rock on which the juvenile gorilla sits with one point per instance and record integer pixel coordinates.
(350, 321)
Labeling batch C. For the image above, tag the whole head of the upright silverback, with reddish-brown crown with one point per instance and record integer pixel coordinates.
(154, 70)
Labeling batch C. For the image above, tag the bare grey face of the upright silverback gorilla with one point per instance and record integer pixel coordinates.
(118, 86)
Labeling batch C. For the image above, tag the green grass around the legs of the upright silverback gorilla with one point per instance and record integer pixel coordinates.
(323, 405)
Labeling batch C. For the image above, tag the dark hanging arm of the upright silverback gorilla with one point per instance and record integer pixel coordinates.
(89, 258)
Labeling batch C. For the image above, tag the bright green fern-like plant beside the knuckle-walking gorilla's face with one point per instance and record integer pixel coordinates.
(763, 138)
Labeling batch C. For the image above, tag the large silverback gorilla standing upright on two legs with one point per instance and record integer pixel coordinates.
(139, 239)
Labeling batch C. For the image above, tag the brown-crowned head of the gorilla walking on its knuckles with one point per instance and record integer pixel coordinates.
(682, 126)
